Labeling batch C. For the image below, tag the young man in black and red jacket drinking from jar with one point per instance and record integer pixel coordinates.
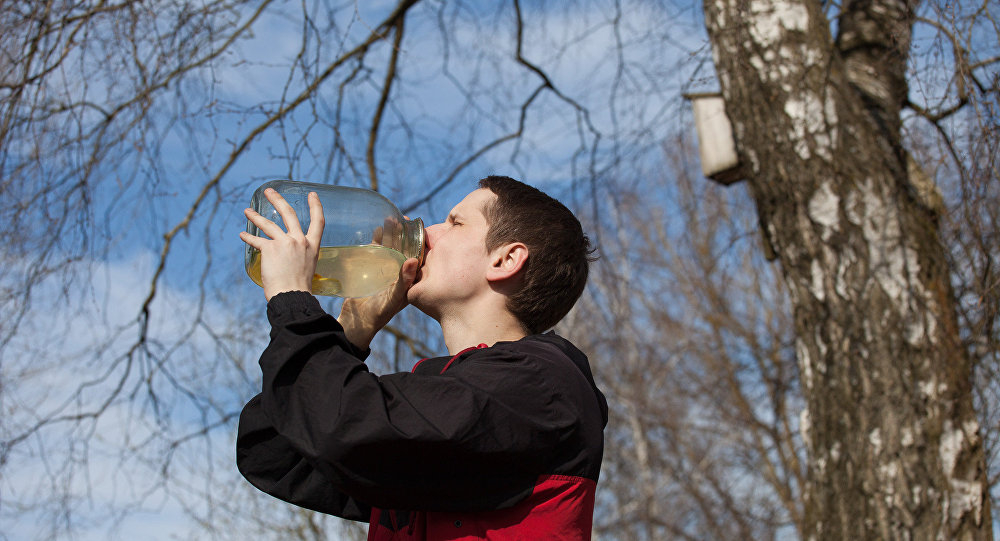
(501, 439)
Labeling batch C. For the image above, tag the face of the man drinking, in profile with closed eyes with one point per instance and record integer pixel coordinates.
(456, 262)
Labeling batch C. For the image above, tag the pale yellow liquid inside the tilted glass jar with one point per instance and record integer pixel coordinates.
(347, 271)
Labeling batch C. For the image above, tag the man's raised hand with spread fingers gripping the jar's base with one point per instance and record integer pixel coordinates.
(287, 260)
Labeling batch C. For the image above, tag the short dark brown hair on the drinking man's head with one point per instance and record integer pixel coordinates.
(555, 273)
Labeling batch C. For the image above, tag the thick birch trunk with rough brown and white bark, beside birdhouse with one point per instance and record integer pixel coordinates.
(893, 442)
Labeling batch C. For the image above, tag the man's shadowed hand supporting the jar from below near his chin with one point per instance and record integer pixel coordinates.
(363, 318)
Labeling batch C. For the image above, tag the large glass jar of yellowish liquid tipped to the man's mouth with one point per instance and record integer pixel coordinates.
(364, 244)
